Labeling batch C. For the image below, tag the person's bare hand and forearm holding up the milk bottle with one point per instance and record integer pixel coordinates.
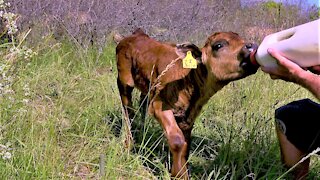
(289, 71)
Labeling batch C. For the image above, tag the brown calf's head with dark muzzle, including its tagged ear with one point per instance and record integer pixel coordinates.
(226, 56)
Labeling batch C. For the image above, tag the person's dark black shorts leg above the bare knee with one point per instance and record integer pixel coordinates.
(300, 122)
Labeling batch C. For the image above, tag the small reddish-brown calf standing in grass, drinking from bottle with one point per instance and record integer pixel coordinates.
(177, 94)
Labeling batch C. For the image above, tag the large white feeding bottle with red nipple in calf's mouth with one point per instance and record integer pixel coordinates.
(299, 44)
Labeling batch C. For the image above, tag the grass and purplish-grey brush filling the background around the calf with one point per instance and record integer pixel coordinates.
(61, 117)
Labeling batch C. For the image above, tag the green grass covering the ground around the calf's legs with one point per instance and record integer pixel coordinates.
(65, 113)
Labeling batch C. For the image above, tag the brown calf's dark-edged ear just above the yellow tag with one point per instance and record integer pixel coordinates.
(182, 49)
